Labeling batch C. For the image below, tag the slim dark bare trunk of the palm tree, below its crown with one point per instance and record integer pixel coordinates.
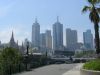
(96, 28)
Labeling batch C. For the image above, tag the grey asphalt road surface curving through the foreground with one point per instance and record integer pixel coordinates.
(57, 69)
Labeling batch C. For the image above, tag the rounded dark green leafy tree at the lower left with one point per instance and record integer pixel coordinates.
(10, 58)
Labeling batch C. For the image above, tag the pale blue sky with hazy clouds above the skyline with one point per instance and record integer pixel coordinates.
(19, 15)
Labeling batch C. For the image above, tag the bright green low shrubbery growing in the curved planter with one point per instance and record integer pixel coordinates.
(92, 65)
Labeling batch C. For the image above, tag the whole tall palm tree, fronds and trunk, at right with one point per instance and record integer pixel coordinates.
(94, 11)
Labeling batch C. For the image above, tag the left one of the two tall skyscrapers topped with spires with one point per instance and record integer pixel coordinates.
(36, 34)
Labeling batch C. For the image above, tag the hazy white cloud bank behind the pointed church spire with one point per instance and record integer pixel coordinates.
(20, 33)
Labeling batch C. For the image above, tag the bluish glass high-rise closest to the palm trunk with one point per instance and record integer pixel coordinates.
(88, 39)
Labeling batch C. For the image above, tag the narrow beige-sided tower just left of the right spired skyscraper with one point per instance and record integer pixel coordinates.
(48, 39)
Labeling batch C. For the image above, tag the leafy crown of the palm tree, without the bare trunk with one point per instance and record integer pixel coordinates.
(94, 10)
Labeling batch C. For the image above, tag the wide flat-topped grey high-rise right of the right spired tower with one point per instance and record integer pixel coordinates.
(71, 37)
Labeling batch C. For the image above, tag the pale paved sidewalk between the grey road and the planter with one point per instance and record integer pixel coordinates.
(74, 71)
